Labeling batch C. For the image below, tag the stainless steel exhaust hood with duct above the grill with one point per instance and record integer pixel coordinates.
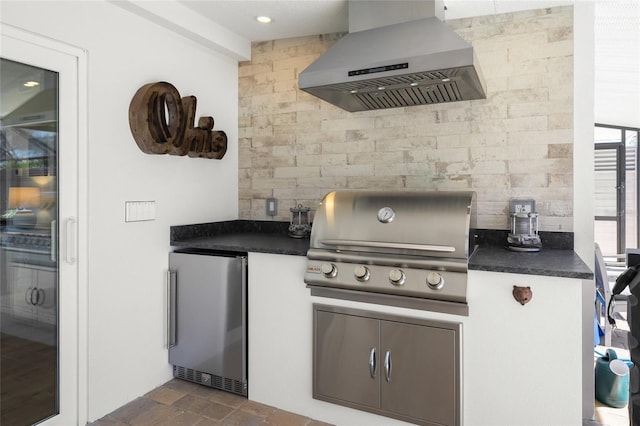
(406, 63)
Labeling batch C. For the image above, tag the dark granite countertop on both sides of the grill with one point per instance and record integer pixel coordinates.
(272, 237)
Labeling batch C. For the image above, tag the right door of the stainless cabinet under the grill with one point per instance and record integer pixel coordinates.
(420, 380)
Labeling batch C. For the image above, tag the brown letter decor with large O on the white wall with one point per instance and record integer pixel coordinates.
(162, 123)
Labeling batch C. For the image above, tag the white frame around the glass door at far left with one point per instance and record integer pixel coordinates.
(72, 225)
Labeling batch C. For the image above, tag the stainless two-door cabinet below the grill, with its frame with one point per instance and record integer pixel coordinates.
(404, 368)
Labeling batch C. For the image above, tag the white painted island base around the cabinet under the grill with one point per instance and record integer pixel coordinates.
(522, 365)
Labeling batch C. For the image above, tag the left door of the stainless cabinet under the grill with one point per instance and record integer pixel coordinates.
(342, 354)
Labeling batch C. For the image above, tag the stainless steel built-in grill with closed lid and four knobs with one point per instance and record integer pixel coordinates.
(407, 249)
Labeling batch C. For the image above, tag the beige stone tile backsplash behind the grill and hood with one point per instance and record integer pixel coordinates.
(516, 143)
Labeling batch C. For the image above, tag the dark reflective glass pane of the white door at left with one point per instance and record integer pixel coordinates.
(29, 278)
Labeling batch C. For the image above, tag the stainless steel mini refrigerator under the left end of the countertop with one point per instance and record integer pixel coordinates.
(207, 318)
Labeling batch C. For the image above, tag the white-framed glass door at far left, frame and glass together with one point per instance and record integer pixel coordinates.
(38, 208)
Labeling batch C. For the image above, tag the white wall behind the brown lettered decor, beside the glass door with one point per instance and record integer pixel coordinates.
(127, 261)
